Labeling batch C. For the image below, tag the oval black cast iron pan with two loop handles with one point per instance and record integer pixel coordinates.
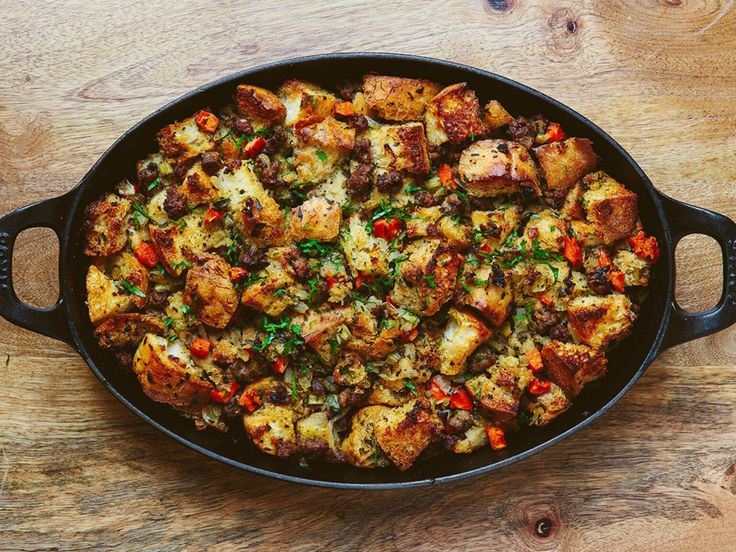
(661, 324)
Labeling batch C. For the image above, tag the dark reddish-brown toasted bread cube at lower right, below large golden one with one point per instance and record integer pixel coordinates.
(571, 366)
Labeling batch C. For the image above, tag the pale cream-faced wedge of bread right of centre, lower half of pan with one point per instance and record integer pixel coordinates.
(462, 335)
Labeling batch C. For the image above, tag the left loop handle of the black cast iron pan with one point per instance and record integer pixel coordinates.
(44, 214)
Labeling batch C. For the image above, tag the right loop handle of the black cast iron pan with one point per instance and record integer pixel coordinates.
(687, 219)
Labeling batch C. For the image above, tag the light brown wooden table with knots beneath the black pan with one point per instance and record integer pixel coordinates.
(79, 471)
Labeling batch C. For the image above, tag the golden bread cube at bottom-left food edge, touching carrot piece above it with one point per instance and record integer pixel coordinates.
(271, 428)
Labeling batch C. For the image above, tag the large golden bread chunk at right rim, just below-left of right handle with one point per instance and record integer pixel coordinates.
(599, 321)
